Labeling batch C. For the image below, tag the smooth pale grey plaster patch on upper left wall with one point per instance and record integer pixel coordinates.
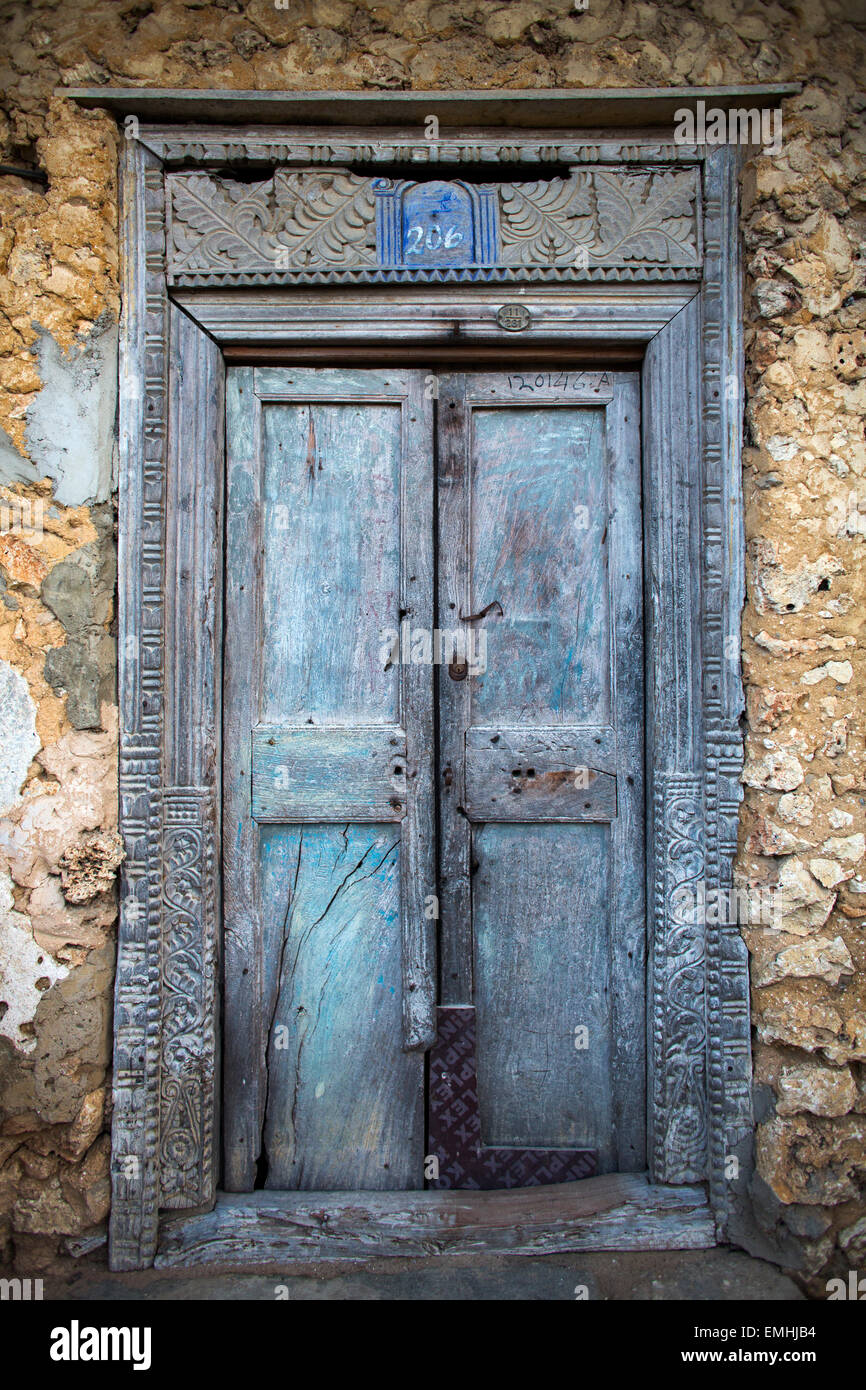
(70, 426)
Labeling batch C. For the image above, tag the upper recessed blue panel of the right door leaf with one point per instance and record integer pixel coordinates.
(537, 546)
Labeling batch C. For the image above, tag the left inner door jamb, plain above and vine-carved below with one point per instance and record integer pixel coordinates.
(191, 760)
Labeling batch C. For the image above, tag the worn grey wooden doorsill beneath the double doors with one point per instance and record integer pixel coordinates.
(619, 1211)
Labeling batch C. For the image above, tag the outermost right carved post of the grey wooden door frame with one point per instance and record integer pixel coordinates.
(730, 1061)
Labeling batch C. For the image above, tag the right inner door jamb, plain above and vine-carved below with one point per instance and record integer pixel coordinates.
(675, 761)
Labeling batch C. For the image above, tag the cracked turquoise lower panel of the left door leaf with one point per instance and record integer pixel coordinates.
(344, 1102)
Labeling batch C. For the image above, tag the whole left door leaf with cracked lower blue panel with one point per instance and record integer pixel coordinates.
(329, 821)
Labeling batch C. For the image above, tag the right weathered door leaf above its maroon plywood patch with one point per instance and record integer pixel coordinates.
(543, 758)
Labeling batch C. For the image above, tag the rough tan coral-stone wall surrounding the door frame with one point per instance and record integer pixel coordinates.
(806, 671)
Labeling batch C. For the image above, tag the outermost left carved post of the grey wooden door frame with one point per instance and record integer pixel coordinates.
(142, 509)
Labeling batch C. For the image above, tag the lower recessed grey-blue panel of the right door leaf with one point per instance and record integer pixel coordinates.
(541, 972)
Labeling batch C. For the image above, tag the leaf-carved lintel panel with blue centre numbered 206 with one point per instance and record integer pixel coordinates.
(307, 224)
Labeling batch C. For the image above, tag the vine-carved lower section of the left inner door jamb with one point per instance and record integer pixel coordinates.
(188, 982)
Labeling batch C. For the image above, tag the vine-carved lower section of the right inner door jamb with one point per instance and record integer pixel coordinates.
(679, 1029)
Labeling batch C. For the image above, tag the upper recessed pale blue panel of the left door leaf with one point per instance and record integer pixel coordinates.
(332, 487)
